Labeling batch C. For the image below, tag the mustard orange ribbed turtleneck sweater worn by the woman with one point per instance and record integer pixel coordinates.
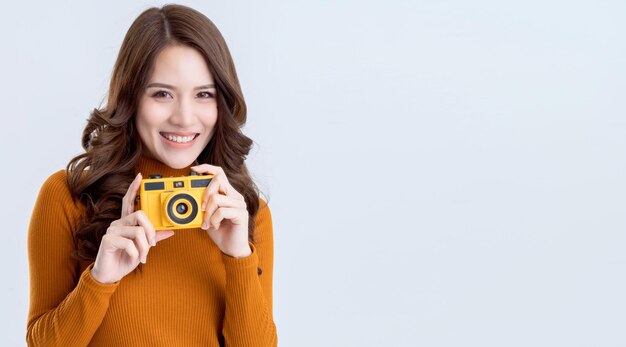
(188, 293)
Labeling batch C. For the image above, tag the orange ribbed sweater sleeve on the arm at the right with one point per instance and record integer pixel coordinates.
(248, 319)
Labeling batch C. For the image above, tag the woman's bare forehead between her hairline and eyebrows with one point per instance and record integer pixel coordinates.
(181, 66)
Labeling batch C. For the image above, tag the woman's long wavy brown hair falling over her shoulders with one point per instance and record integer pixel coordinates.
(100, 177)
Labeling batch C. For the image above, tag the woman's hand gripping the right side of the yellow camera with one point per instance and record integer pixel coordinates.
(225, 213)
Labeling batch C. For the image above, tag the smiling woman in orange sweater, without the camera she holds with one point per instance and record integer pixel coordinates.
(101, 275)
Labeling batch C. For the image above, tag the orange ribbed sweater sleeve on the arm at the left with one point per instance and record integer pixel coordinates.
(64, 310)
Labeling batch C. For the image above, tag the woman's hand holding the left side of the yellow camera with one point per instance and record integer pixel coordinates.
(127, 241)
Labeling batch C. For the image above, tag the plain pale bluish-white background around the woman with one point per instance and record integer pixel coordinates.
(440, 173)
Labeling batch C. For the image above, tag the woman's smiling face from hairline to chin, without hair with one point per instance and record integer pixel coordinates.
(177, 111)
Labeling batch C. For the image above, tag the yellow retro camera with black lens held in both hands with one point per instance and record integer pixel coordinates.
(174, 202)
